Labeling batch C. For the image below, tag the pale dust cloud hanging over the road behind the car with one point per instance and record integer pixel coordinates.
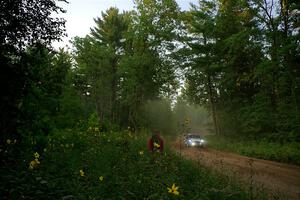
(170, 120)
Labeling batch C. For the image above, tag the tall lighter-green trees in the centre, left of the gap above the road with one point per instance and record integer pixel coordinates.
(122, 64)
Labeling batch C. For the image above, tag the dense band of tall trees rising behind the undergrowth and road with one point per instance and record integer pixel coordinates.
(237, 59)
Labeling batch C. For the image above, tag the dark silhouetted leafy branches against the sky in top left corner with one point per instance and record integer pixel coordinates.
(29, 22)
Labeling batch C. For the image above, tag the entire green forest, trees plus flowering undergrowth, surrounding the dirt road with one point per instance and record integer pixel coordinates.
(224, 67)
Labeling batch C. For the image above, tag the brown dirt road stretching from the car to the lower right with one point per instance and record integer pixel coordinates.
(281, 180)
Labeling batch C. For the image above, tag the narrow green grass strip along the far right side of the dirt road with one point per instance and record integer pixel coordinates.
(263, 149)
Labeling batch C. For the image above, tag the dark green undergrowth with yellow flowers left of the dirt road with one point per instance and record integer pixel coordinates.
(117, 157)
